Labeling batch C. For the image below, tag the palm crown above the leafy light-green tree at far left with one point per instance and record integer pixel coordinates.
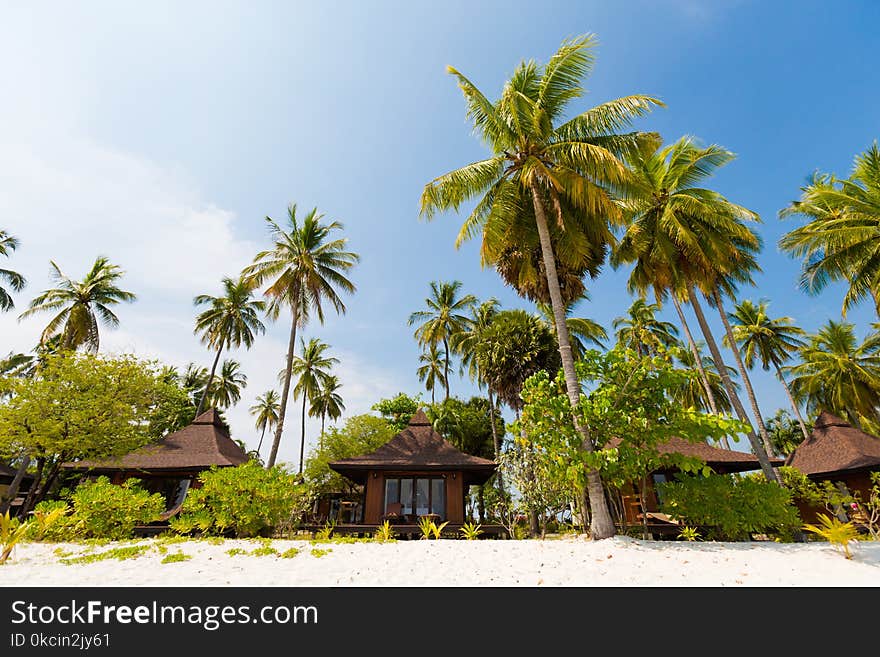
(81, 304)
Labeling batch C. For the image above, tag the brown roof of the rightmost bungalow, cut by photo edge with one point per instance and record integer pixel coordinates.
(835, 446)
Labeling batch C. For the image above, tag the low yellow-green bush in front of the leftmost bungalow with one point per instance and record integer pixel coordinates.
(105, 510)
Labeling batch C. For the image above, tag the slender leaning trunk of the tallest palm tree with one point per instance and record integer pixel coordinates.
(602, 524)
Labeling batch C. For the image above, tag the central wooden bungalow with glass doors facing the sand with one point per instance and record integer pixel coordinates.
(415, 474)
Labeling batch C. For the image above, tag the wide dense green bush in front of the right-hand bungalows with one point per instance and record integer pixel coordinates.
(731, 508)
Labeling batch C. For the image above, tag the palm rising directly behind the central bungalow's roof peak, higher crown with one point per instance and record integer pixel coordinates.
(443, 319)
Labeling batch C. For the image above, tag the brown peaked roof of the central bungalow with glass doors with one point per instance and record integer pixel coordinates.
(417, 447)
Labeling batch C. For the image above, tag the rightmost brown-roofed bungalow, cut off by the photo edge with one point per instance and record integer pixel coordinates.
(837, 452)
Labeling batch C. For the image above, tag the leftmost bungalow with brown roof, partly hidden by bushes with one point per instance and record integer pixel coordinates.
(171, 466)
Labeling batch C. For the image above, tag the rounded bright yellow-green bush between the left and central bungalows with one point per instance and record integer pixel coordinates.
(245, 501)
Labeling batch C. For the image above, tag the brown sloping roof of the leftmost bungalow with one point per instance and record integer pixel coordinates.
(200, 445)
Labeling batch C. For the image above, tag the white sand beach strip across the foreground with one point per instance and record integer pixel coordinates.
(569, 561)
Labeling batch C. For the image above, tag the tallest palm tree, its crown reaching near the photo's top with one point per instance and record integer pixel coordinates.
(543, 166)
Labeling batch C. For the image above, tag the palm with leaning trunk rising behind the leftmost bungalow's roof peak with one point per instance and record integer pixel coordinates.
(231, 320)
